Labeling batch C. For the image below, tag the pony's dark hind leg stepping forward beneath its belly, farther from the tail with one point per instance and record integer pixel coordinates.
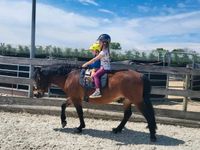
(127, 115)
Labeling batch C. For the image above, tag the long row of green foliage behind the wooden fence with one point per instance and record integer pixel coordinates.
(178, 57)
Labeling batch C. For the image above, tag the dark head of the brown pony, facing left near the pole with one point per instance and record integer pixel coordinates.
(40, 82)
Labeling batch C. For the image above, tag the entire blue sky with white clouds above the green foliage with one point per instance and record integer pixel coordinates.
(135, 24)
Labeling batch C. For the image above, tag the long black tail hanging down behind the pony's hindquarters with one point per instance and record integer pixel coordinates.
(147, 101)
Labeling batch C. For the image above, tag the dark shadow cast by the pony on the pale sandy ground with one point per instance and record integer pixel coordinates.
(126, 137)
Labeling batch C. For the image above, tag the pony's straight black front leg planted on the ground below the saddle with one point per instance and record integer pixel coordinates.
(79, 110)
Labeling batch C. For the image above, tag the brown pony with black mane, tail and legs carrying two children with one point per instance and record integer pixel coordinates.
(130, 85)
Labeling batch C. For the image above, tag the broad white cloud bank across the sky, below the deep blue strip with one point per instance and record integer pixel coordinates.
(57, 27)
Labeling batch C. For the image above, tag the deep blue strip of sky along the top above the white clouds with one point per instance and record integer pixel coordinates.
(126, 8)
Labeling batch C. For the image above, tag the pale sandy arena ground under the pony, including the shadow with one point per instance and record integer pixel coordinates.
(26, 131)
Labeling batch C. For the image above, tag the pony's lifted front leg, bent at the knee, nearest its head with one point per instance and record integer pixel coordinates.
(63, 107)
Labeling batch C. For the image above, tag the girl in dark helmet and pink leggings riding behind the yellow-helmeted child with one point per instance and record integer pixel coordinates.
(104, 57)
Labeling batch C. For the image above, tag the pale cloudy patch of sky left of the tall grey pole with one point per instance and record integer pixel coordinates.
(15, 22)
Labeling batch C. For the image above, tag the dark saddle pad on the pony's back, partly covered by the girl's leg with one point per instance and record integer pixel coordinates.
(89, 84)
